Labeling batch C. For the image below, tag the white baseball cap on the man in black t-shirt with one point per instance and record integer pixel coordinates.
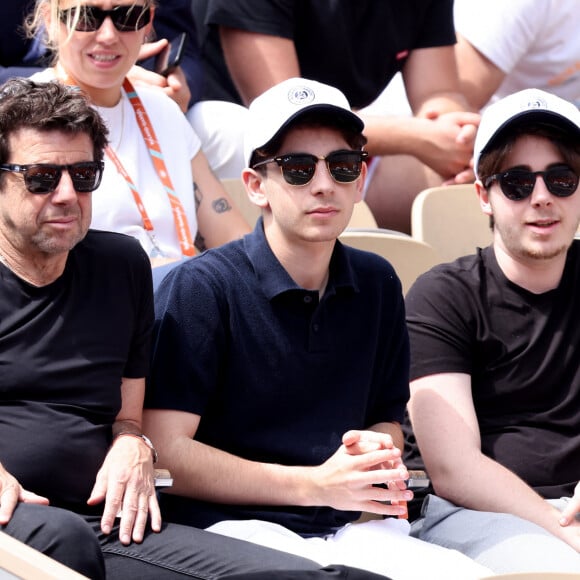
(531, 105)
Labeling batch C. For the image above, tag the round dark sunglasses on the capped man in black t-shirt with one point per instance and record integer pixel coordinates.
(517, 184)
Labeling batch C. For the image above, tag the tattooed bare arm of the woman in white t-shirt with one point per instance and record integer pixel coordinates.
(218, 219)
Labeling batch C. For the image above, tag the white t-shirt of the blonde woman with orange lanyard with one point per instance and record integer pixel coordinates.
(114, 207)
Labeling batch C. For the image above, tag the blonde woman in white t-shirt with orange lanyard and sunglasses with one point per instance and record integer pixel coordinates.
(157, 185)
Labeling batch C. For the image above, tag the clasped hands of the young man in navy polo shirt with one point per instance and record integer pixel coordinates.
(365, 472)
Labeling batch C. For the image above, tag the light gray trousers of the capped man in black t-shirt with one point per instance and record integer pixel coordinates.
(502, 542)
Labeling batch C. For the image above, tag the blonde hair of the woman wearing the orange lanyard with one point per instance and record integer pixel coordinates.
(44, 22)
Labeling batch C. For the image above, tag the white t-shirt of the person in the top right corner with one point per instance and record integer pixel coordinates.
(534, 42)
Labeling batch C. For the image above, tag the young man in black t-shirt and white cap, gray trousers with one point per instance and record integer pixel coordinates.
(495, 355)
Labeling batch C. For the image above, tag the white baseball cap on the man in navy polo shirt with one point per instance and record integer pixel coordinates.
(276, 108)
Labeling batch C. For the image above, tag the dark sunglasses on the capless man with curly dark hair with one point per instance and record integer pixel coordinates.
(45, 177)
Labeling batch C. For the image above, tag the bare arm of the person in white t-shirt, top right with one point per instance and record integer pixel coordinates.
(479, 77)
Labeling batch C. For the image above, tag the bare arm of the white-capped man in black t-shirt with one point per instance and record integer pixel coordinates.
(447, 432)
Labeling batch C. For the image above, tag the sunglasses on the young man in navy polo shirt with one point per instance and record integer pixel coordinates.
(298, 168)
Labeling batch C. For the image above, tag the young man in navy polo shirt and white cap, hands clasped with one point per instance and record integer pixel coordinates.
(280, 370)
